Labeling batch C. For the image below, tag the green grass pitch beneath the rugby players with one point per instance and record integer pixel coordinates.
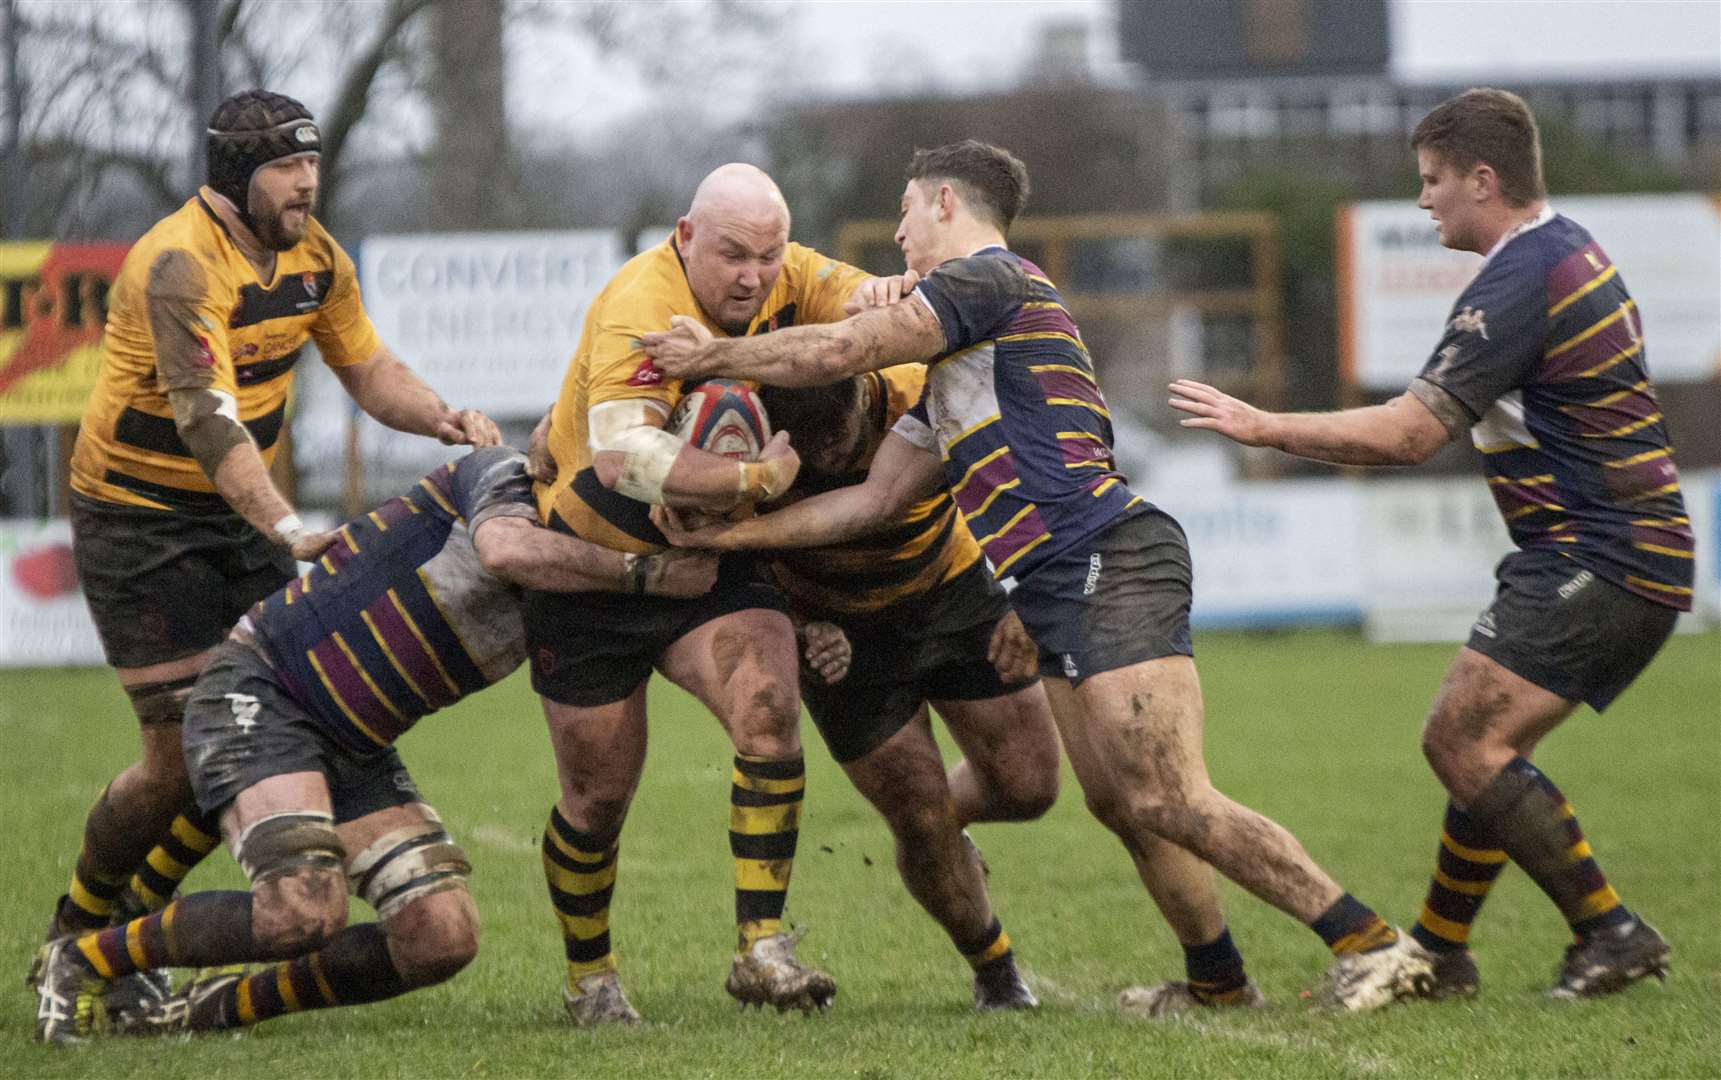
(1317, 730)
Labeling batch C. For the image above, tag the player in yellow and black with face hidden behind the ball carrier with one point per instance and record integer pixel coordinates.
(922, 617)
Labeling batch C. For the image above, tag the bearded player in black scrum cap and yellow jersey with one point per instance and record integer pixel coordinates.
(176, 525)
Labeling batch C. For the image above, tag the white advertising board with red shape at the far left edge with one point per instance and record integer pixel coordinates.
(44, 622)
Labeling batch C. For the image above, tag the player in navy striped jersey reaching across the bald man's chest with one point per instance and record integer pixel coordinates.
(1015, 426)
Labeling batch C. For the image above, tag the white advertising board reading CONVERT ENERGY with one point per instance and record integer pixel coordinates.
(490, 319)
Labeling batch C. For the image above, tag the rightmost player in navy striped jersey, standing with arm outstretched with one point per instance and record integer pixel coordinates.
(1543, 367)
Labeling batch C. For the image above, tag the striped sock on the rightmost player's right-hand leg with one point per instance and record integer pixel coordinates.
(1531, 819)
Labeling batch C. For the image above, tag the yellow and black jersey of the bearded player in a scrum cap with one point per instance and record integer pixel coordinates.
(244, 336)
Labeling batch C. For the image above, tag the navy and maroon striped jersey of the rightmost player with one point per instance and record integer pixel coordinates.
(1546, 353)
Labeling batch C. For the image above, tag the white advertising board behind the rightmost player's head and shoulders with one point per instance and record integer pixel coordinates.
(1398, 285)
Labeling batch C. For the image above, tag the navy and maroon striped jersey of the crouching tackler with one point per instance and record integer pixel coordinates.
(400, 618)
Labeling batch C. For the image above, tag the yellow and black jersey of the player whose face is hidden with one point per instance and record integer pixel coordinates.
(925, 548)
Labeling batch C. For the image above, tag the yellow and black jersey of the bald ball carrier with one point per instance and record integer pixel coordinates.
(612, 365)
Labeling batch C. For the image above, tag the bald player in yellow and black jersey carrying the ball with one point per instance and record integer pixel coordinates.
(732, 269)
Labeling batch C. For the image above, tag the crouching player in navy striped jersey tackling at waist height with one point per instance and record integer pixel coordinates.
(290, 742)
